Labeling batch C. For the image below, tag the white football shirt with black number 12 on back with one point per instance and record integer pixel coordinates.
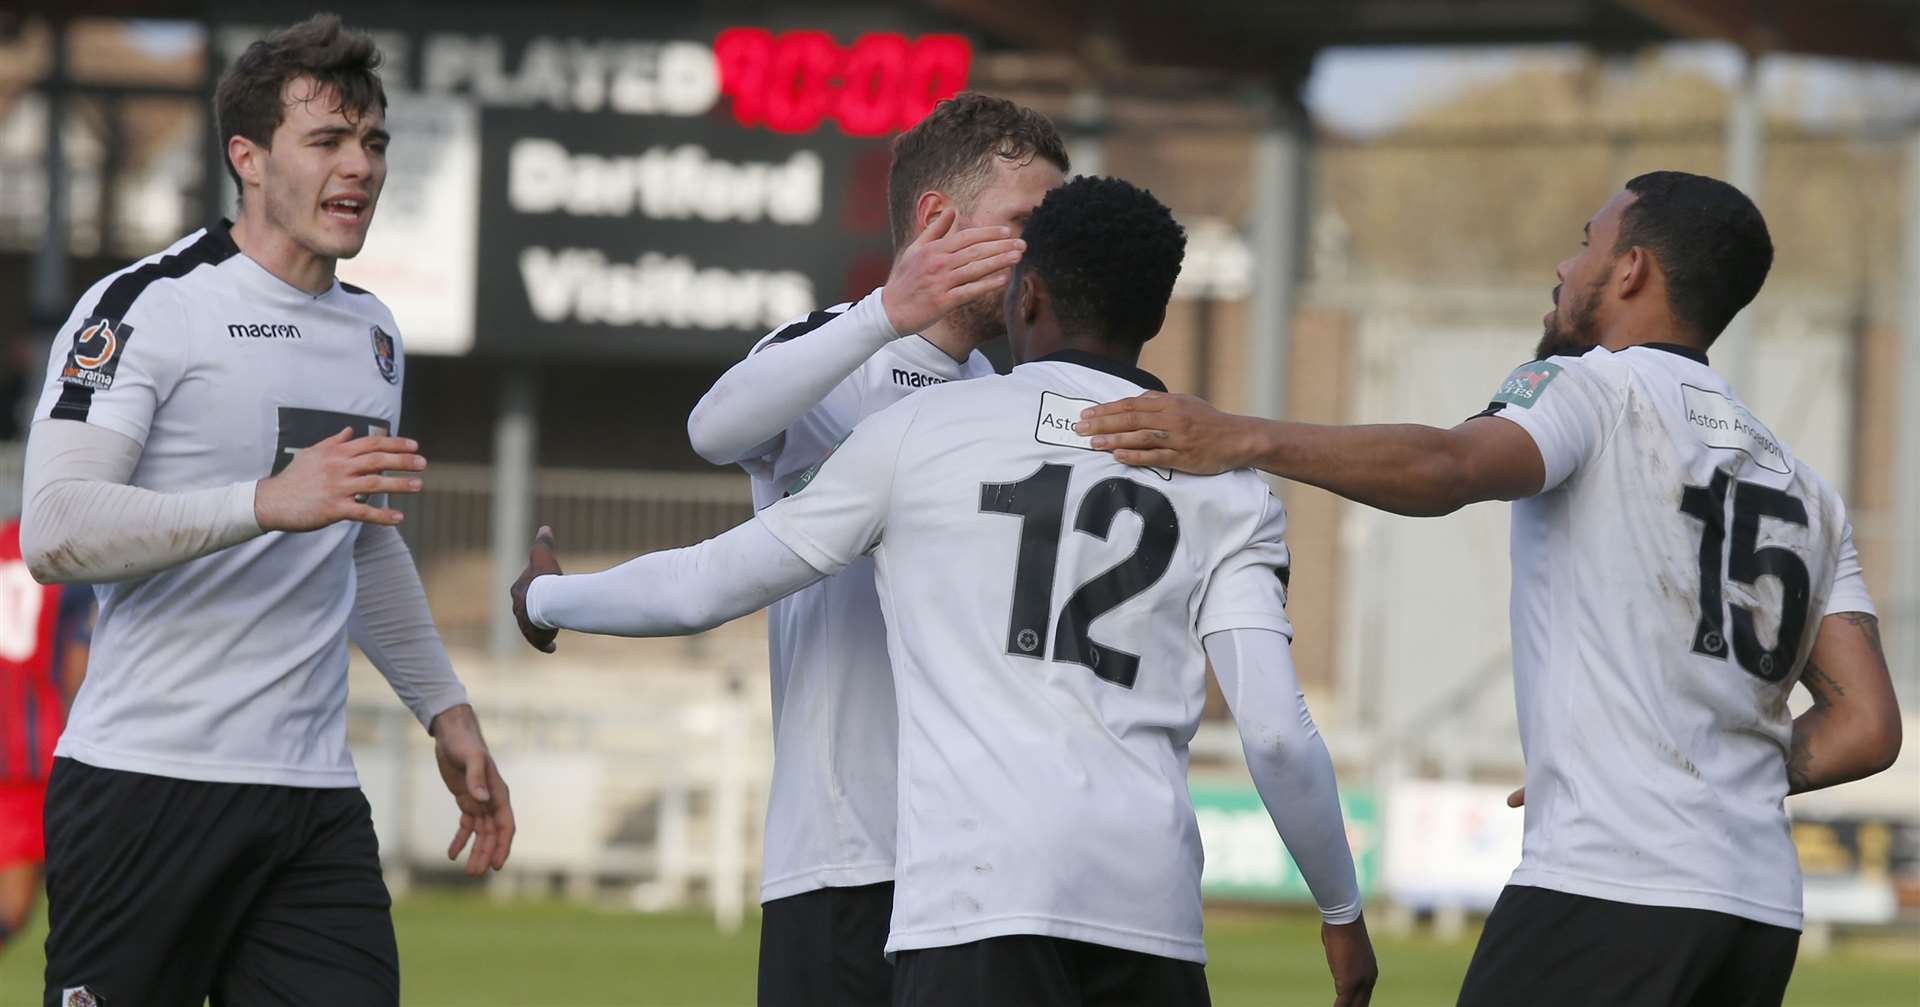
(1045, 610)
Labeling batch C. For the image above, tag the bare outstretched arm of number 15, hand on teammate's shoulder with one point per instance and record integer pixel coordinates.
(1401, 468)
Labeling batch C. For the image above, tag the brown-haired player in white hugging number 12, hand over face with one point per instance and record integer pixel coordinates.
(827, 881)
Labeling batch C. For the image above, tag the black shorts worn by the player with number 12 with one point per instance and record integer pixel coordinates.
(1036, 971)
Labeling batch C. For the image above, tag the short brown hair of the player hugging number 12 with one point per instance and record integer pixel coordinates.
(953, 151)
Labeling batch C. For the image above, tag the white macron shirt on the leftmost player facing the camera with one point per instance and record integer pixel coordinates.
(231, 668)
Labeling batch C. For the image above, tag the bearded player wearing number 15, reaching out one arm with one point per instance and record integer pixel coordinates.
(1675, 574)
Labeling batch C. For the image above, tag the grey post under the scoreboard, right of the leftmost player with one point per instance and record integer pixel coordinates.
(516, 437)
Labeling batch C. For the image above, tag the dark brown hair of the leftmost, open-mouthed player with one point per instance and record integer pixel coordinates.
(249, 101)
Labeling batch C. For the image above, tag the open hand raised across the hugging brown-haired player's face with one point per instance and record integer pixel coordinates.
(948, 268)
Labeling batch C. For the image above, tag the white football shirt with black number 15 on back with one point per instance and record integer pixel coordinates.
(1668, 587)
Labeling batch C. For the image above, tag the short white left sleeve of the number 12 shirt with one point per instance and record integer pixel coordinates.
(838, 512)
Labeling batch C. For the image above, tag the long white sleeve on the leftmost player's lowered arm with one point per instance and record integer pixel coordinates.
(395, 627)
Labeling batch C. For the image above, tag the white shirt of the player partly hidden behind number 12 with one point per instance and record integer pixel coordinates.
(830, 812)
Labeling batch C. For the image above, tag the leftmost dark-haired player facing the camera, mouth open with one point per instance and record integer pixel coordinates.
(212, 449)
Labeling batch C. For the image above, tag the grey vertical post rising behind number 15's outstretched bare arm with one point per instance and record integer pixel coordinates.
(1282, 151)
